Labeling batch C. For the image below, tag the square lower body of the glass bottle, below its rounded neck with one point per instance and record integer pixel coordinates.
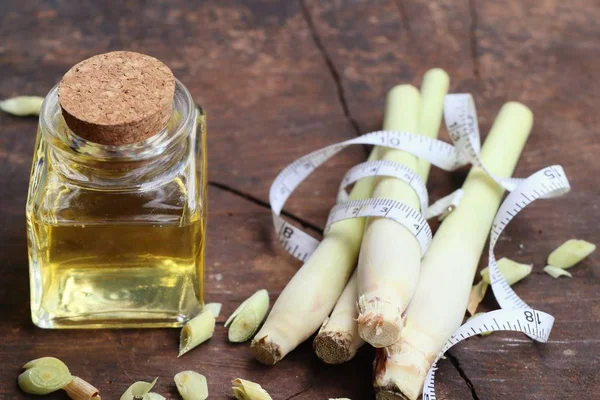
(114, 259)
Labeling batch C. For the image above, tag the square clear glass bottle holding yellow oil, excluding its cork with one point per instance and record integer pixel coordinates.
(116, 232)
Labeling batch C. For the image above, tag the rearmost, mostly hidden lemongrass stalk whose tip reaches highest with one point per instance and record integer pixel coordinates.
(338, 338)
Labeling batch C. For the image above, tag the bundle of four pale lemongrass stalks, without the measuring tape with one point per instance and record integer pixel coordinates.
(405, 305)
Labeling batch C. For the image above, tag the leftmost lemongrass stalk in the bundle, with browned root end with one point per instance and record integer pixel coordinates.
(312, 293)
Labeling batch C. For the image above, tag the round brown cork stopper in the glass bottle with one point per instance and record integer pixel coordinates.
(117, 98)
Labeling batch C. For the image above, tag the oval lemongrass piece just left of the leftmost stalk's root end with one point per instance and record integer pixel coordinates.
(247, 318)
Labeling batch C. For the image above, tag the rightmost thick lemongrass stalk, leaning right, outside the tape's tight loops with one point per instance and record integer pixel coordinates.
(438, 306)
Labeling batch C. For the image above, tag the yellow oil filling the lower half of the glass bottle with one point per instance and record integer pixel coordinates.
(118, 275)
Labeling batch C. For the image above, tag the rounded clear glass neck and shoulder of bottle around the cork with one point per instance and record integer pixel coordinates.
(128, 167)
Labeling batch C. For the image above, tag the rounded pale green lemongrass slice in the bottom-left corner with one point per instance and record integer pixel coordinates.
(44, 375)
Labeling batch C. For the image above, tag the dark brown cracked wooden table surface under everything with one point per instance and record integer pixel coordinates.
(280, 79)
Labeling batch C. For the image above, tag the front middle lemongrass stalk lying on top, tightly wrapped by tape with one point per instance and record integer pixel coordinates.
(390, 256)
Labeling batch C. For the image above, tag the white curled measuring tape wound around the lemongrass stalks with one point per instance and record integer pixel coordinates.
(461, 121)
